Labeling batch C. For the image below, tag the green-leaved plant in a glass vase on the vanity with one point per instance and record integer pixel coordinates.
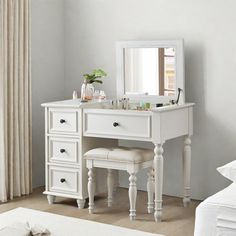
(87, 88)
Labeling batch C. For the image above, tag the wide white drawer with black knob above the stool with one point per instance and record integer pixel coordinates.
(117, 124)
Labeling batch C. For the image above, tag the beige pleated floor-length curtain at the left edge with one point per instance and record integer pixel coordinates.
(15, 99)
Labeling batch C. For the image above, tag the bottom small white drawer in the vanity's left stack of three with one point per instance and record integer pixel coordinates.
(64, 180)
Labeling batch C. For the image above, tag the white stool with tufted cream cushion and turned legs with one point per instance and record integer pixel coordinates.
(130, 159)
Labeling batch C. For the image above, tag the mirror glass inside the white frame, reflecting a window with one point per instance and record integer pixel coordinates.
(150, 71)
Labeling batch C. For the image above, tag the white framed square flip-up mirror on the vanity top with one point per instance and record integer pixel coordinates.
(150, 70)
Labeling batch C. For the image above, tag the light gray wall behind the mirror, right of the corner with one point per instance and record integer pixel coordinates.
(93, 27)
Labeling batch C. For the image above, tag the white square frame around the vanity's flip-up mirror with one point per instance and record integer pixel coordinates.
(180, 75)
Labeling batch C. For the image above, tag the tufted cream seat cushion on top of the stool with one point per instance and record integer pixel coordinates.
(121, 154)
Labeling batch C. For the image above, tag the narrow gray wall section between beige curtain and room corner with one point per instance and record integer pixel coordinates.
(47, 71)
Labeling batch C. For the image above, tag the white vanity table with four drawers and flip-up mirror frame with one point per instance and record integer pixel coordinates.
(72, 128)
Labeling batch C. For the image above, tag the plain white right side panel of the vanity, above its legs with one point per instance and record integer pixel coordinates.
(174, 123)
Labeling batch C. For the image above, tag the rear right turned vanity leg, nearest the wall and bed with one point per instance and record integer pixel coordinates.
(187, 170)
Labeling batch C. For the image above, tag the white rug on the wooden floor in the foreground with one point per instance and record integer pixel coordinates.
(66, 226)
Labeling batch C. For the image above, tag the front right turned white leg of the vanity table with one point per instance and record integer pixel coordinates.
(158, 167)
